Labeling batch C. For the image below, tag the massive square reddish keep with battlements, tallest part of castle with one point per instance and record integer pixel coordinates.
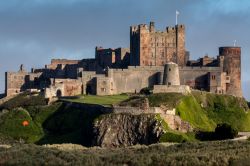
(149, 47)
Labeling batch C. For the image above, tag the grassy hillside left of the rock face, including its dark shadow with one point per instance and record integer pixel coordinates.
(56, 123)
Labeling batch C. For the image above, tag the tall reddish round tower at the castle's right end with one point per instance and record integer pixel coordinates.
(232, 66)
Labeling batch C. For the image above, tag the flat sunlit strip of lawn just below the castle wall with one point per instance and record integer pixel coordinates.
(100, 100)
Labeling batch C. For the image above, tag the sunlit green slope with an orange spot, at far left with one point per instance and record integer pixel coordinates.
(11, 122)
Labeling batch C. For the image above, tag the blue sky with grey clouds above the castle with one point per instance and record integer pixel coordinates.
(34, 31)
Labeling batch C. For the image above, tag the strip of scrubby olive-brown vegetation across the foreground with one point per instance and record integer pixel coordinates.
(202, 153)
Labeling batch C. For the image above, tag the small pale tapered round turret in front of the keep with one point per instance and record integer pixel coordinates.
(171, 74)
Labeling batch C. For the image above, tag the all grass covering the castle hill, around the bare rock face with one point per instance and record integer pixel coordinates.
(61, 123)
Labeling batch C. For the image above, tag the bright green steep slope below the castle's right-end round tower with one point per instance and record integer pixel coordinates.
(205, 110)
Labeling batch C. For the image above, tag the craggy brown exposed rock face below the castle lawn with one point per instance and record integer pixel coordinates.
(115, 130)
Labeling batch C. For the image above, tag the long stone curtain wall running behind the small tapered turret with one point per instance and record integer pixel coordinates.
(133, 79)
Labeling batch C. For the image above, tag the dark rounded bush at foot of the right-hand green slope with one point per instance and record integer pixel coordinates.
(225, 131)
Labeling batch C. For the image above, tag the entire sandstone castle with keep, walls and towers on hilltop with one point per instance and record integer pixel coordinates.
(156, 59)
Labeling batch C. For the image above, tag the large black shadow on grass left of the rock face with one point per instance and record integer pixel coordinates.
(69, 125)
